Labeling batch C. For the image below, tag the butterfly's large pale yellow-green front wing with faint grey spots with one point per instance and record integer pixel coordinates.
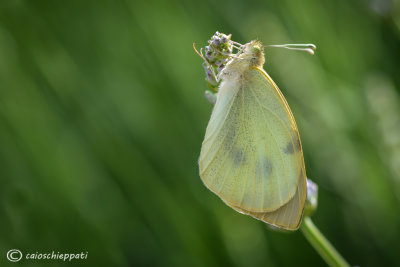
(251, 156)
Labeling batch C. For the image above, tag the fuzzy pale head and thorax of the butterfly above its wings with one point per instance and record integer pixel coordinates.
(250, 56)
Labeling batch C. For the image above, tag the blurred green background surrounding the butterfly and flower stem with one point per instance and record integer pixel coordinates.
(102, 116)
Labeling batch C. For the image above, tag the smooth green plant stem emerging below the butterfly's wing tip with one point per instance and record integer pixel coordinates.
(321, 244)
